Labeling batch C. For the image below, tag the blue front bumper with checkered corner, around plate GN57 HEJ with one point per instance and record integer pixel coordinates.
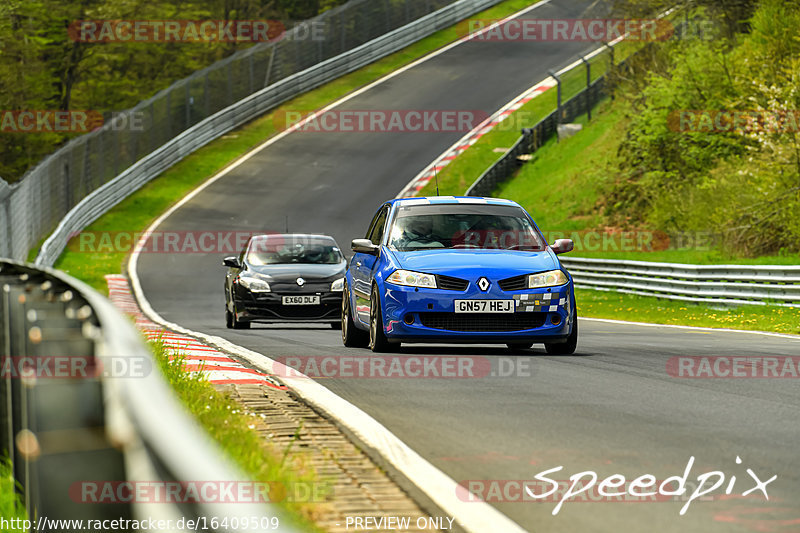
(428, 315)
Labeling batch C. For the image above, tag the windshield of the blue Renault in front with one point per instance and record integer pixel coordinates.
(420, 227)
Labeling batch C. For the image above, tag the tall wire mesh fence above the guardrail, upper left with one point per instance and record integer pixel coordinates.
(36, 204)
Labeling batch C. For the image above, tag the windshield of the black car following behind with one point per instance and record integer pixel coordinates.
(288, 249)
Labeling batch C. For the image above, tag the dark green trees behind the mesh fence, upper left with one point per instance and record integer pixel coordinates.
(41, 68)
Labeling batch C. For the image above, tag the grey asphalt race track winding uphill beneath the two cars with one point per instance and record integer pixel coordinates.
(612, 408)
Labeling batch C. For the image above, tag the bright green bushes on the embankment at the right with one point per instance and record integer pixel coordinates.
(744, 185)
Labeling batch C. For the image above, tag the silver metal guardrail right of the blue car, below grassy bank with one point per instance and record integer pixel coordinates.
(719, 284)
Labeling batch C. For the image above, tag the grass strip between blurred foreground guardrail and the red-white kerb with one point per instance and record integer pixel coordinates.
(234, 431)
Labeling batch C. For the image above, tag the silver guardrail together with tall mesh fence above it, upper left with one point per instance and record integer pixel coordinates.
(93, 172)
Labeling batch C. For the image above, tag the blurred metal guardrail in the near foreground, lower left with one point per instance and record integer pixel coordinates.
(61, 431)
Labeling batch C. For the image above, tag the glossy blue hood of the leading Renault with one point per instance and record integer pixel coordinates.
(482, 262)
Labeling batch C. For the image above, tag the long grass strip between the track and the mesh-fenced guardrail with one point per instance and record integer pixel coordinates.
(135, 213)
